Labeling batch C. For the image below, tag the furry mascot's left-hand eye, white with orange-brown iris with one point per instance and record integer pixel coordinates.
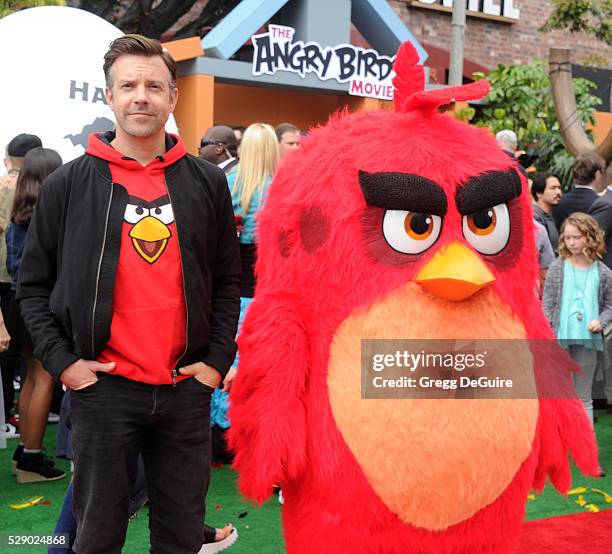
(411, 232)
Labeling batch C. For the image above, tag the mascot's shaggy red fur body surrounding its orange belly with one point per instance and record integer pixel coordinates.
(322, 259)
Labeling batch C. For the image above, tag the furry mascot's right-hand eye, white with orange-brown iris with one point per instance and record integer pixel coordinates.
(488, 230)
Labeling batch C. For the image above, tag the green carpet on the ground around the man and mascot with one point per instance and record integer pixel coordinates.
(259, 528)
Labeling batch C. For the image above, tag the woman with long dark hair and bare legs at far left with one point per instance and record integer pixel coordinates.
(29, 463)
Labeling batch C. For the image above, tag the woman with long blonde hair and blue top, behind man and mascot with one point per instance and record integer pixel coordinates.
(248, 183)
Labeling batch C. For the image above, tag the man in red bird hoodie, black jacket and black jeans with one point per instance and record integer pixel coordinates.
(129, 285)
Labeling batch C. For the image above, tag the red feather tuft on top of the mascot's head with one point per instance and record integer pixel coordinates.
(409, 83)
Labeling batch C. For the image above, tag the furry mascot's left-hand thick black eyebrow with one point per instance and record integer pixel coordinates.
(403, 191)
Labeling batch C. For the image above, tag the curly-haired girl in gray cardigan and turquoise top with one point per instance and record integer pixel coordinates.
(578, 298)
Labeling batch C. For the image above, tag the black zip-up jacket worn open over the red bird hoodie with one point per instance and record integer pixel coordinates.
(67, 273)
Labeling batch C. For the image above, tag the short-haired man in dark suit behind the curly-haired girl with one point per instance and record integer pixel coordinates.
(588, 183)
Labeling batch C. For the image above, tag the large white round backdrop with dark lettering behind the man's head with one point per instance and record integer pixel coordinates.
(52, 79)
